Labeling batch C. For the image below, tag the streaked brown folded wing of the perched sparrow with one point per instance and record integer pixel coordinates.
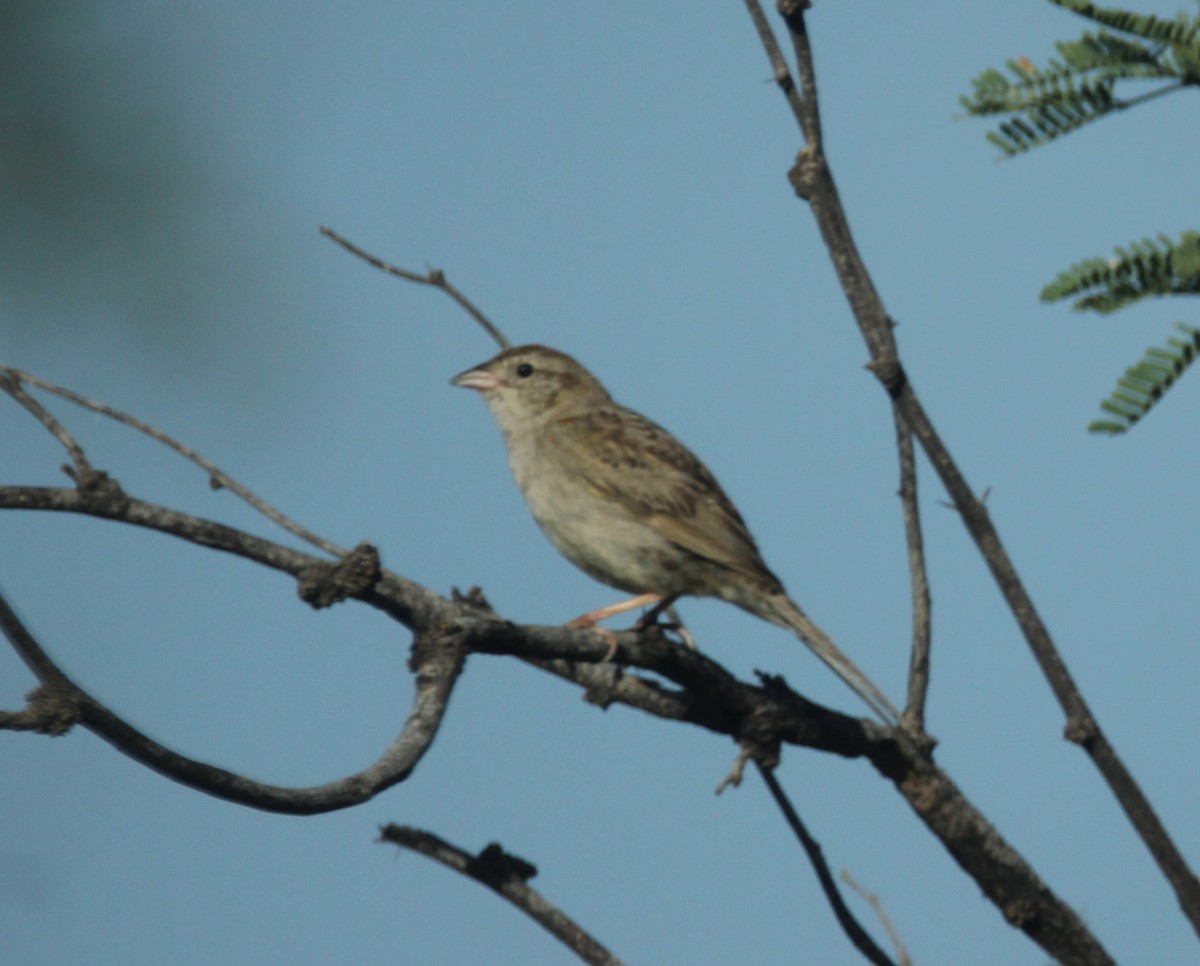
(638, 464)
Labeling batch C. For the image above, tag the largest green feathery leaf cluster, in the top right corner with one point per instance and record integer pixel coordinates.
(1079, 86)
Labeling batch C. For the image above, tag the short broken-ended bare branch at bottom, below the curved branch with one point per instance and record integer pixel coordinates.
(506, 875)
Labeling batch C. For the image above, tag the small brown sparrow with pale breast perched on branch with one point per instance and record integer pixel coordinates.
(631, 506)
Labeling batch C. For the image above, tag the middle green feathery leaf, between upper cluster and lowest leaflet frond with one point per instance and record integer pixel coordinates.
(1144, 269)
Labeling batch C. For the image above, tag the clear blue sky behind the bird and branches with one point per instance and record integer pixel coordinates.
(608, 179)
